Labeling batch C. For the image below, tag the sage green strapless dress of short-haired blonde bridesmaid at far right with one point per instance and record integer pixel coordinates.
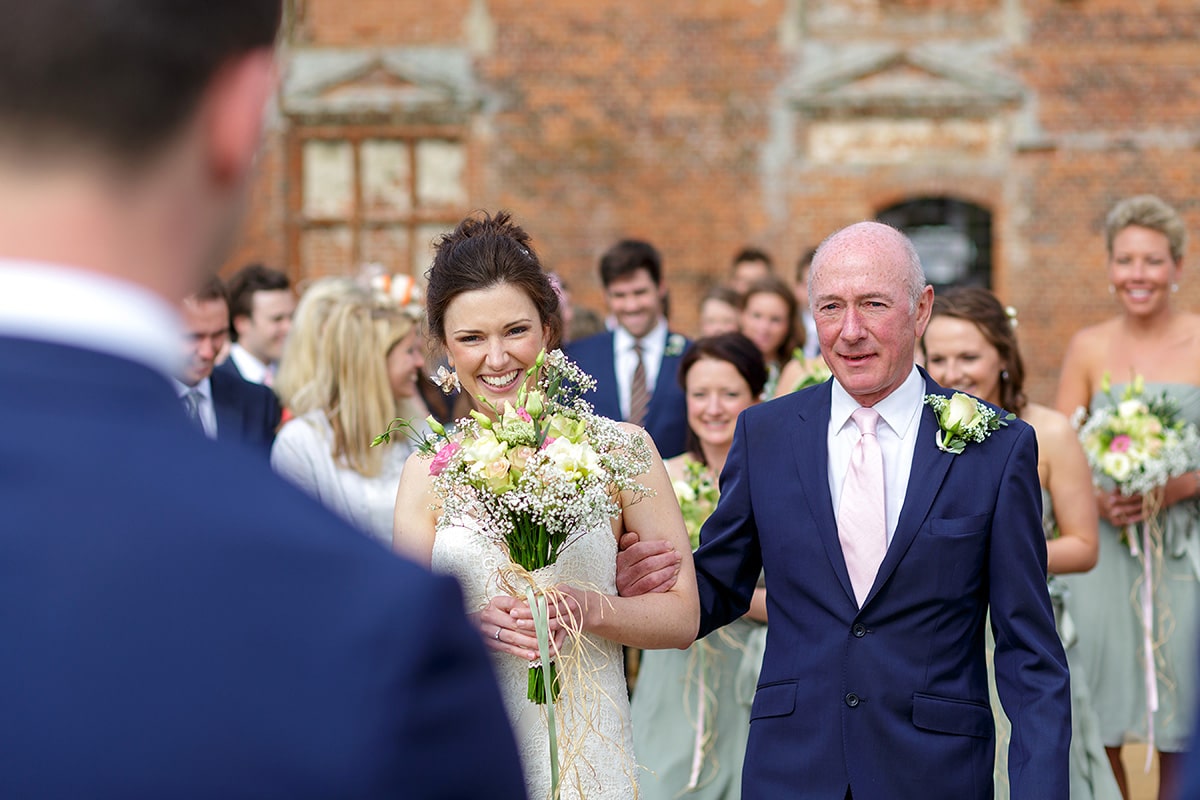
(1106, 606)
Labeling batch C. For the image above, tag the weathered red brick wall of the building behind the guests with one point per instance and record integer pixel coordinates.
(706, 125)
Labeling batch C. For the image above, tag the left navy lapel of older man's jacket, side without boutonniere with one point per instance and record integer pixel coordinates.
(811, 448)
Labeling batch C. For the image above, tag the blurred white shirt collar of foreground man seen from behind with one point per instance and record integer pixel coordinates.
(81, 309)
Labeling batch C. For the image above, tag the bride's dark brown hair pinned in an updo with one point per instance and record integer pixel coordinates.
(483, 252)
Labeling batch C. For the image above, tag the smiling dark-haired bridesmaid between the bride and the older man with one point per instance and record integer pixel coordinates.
(692, 708)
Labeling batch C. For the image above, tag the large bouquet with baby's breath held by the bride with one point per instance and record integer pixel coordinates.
(537, 476)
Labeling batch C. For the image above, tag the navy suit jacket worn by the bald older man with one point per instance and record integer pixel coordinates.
(890, 700)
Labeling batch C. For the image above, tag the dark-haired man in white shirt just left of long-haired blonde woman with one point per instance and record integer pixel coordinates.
(261, 308)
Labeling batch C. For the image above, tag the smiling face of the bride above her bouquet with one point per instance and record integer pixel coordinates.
(494, 335)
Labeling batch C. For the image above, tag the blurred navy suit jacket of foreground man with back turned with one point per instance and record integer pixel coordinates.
(182, 623)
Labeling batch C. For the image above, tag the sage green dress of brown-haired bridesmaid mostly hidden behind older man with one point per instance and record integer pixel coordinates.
(1091, 775)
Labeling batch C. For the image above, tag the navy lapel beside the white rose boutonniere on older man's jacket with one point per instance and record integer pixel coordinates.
(929, 470)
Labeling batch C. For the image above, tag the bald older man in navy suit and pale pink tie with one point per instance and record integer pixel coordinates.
(884, 554)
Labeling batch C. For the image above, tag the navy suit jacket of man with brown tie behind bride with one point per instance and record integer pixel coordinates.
(667, 419)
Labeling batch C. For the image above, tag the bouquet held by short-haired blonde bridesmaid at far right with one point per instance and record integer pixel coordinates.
(1138, 443)
